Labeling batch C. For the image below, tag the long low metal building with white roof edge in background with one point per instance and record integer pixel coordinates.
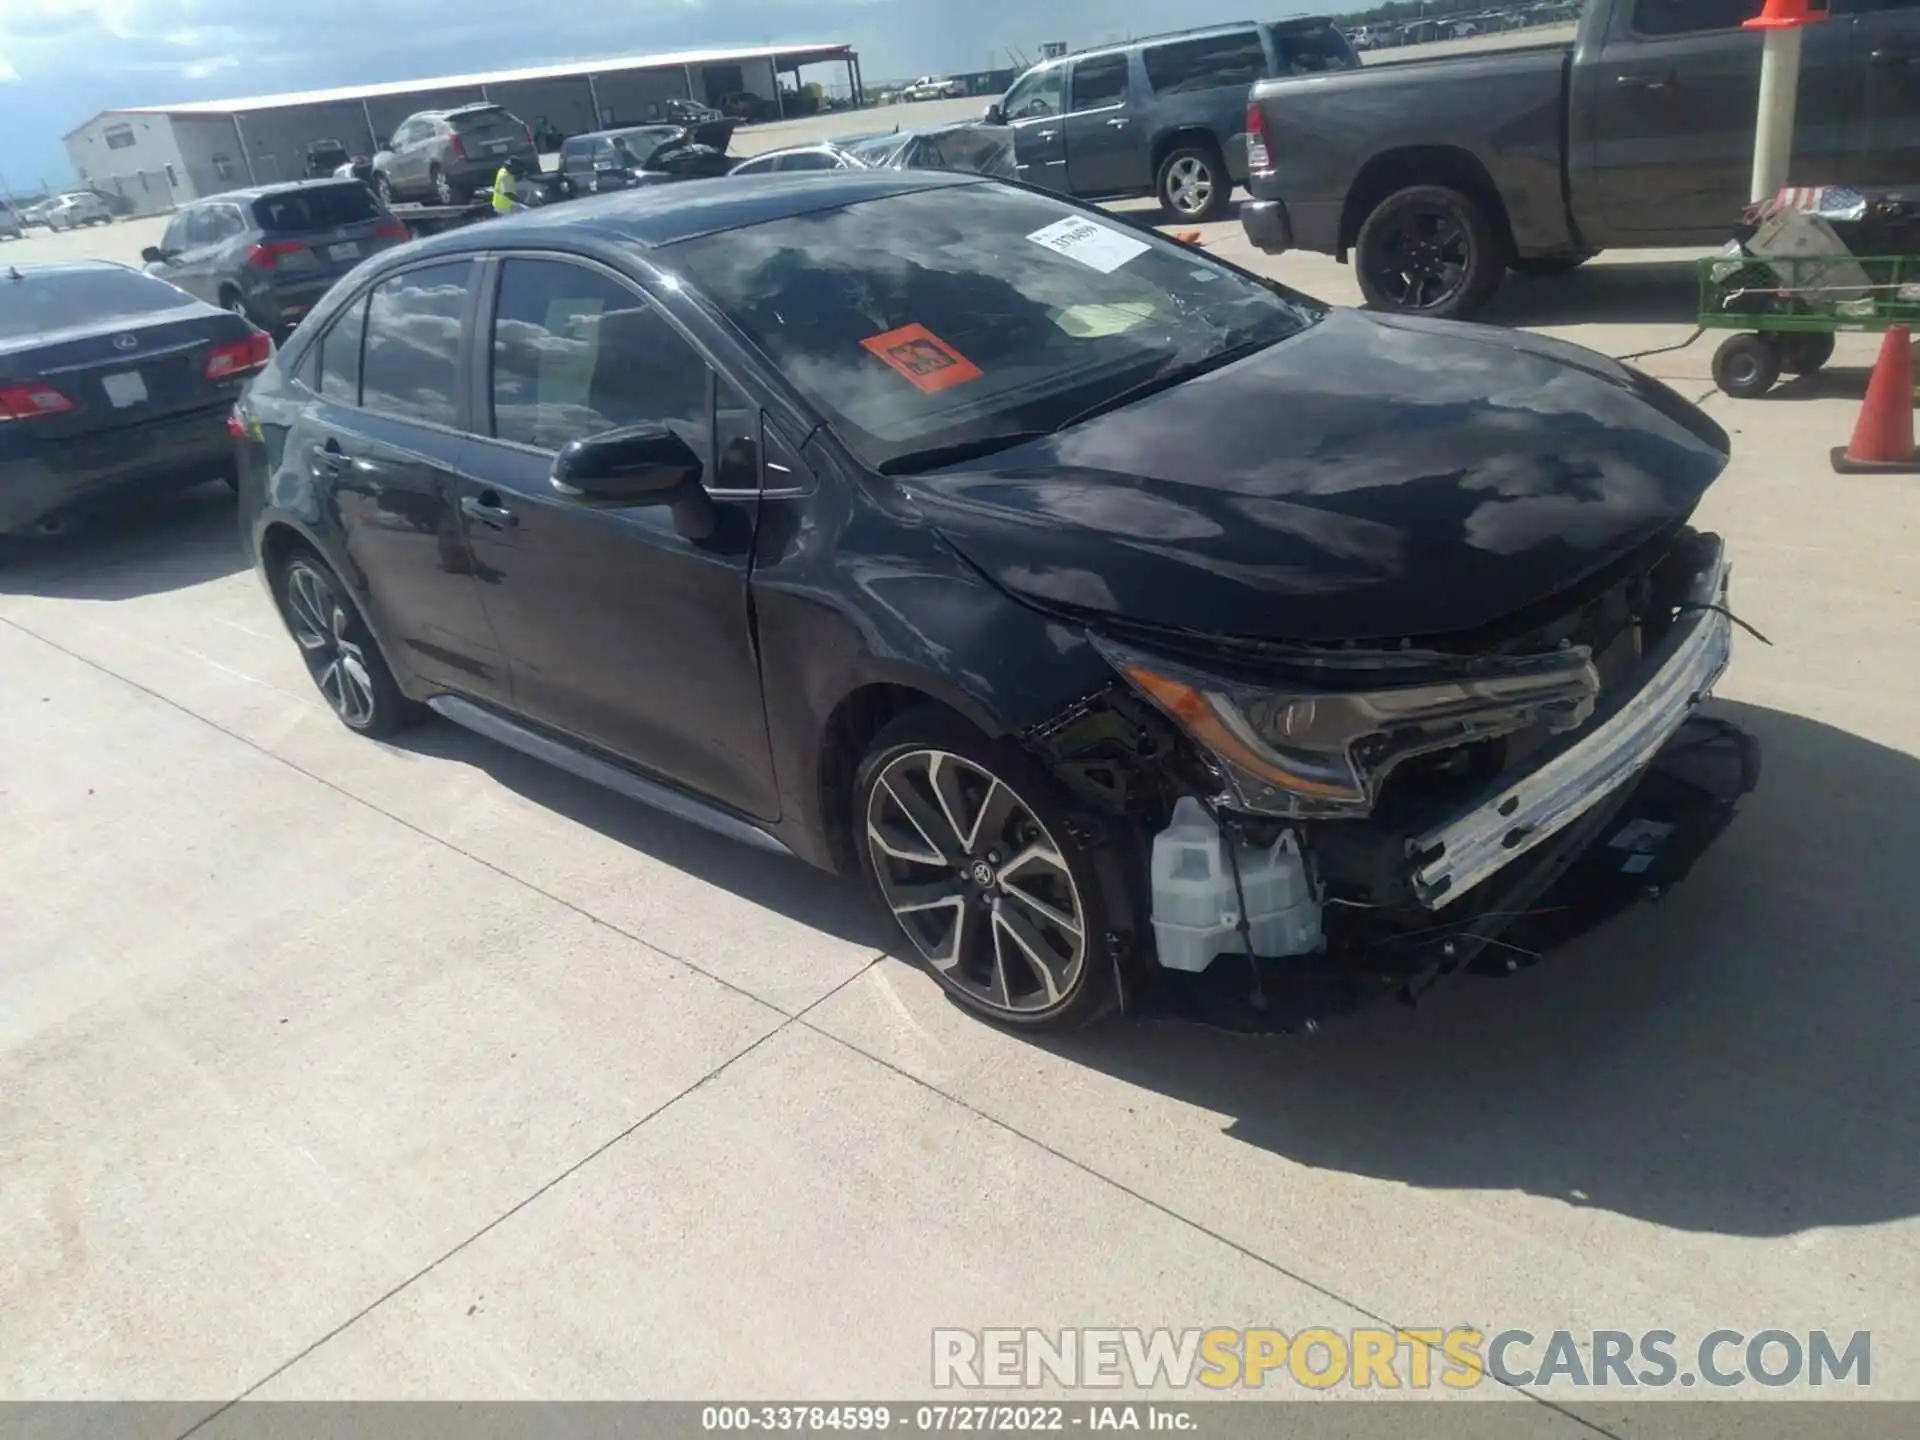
(160, 156)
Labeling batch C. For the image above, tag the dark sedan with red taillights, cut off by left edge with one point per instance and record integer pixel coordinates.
(112, 383)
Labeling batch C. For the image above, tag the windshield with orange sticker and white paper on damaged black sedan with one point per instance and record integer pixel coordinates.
(951, 316)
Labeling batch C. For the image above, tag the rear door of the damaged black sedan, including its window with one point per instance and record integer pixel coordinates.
(385, 443)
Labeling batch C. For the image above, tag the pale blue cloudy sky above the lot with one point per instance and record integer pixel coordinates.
(64, 60)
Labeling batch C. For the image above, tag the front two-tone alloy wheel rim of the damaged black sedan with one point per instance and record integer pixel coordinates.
(976, 882)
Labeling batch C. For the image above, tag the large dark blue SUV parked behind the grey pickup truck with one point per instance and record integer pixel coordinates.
(1164, 116)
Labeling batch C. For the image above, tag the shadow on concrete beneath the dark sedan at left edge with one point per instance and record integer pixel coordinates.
(139, 548)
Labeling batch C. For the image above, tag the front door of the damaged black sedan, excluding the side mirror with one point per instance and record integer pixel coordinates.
(623, 633)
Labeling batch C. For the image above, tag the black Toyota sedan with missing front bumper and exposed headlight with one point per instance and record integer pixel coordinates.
(1130, 621)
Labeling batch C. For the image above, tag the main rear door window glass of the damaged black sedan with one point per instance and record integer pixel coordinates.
(412, 362)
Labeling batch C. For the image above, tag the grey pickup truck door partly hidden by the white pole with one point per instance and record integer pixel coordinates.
(1666, 118)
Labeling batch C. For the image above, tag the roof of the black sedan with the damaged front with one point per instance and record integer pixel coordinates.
(665, 214)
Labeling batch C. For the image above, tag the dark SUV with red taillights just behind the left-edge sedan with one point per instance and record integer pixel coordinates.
(274, 251)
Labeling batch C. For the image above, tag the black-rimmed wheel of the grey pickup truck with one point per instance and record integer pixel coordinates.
(1429, 251)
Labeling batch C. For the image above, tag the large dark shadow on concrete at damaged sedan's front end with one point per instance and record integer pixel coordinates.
(1735, 1059)
